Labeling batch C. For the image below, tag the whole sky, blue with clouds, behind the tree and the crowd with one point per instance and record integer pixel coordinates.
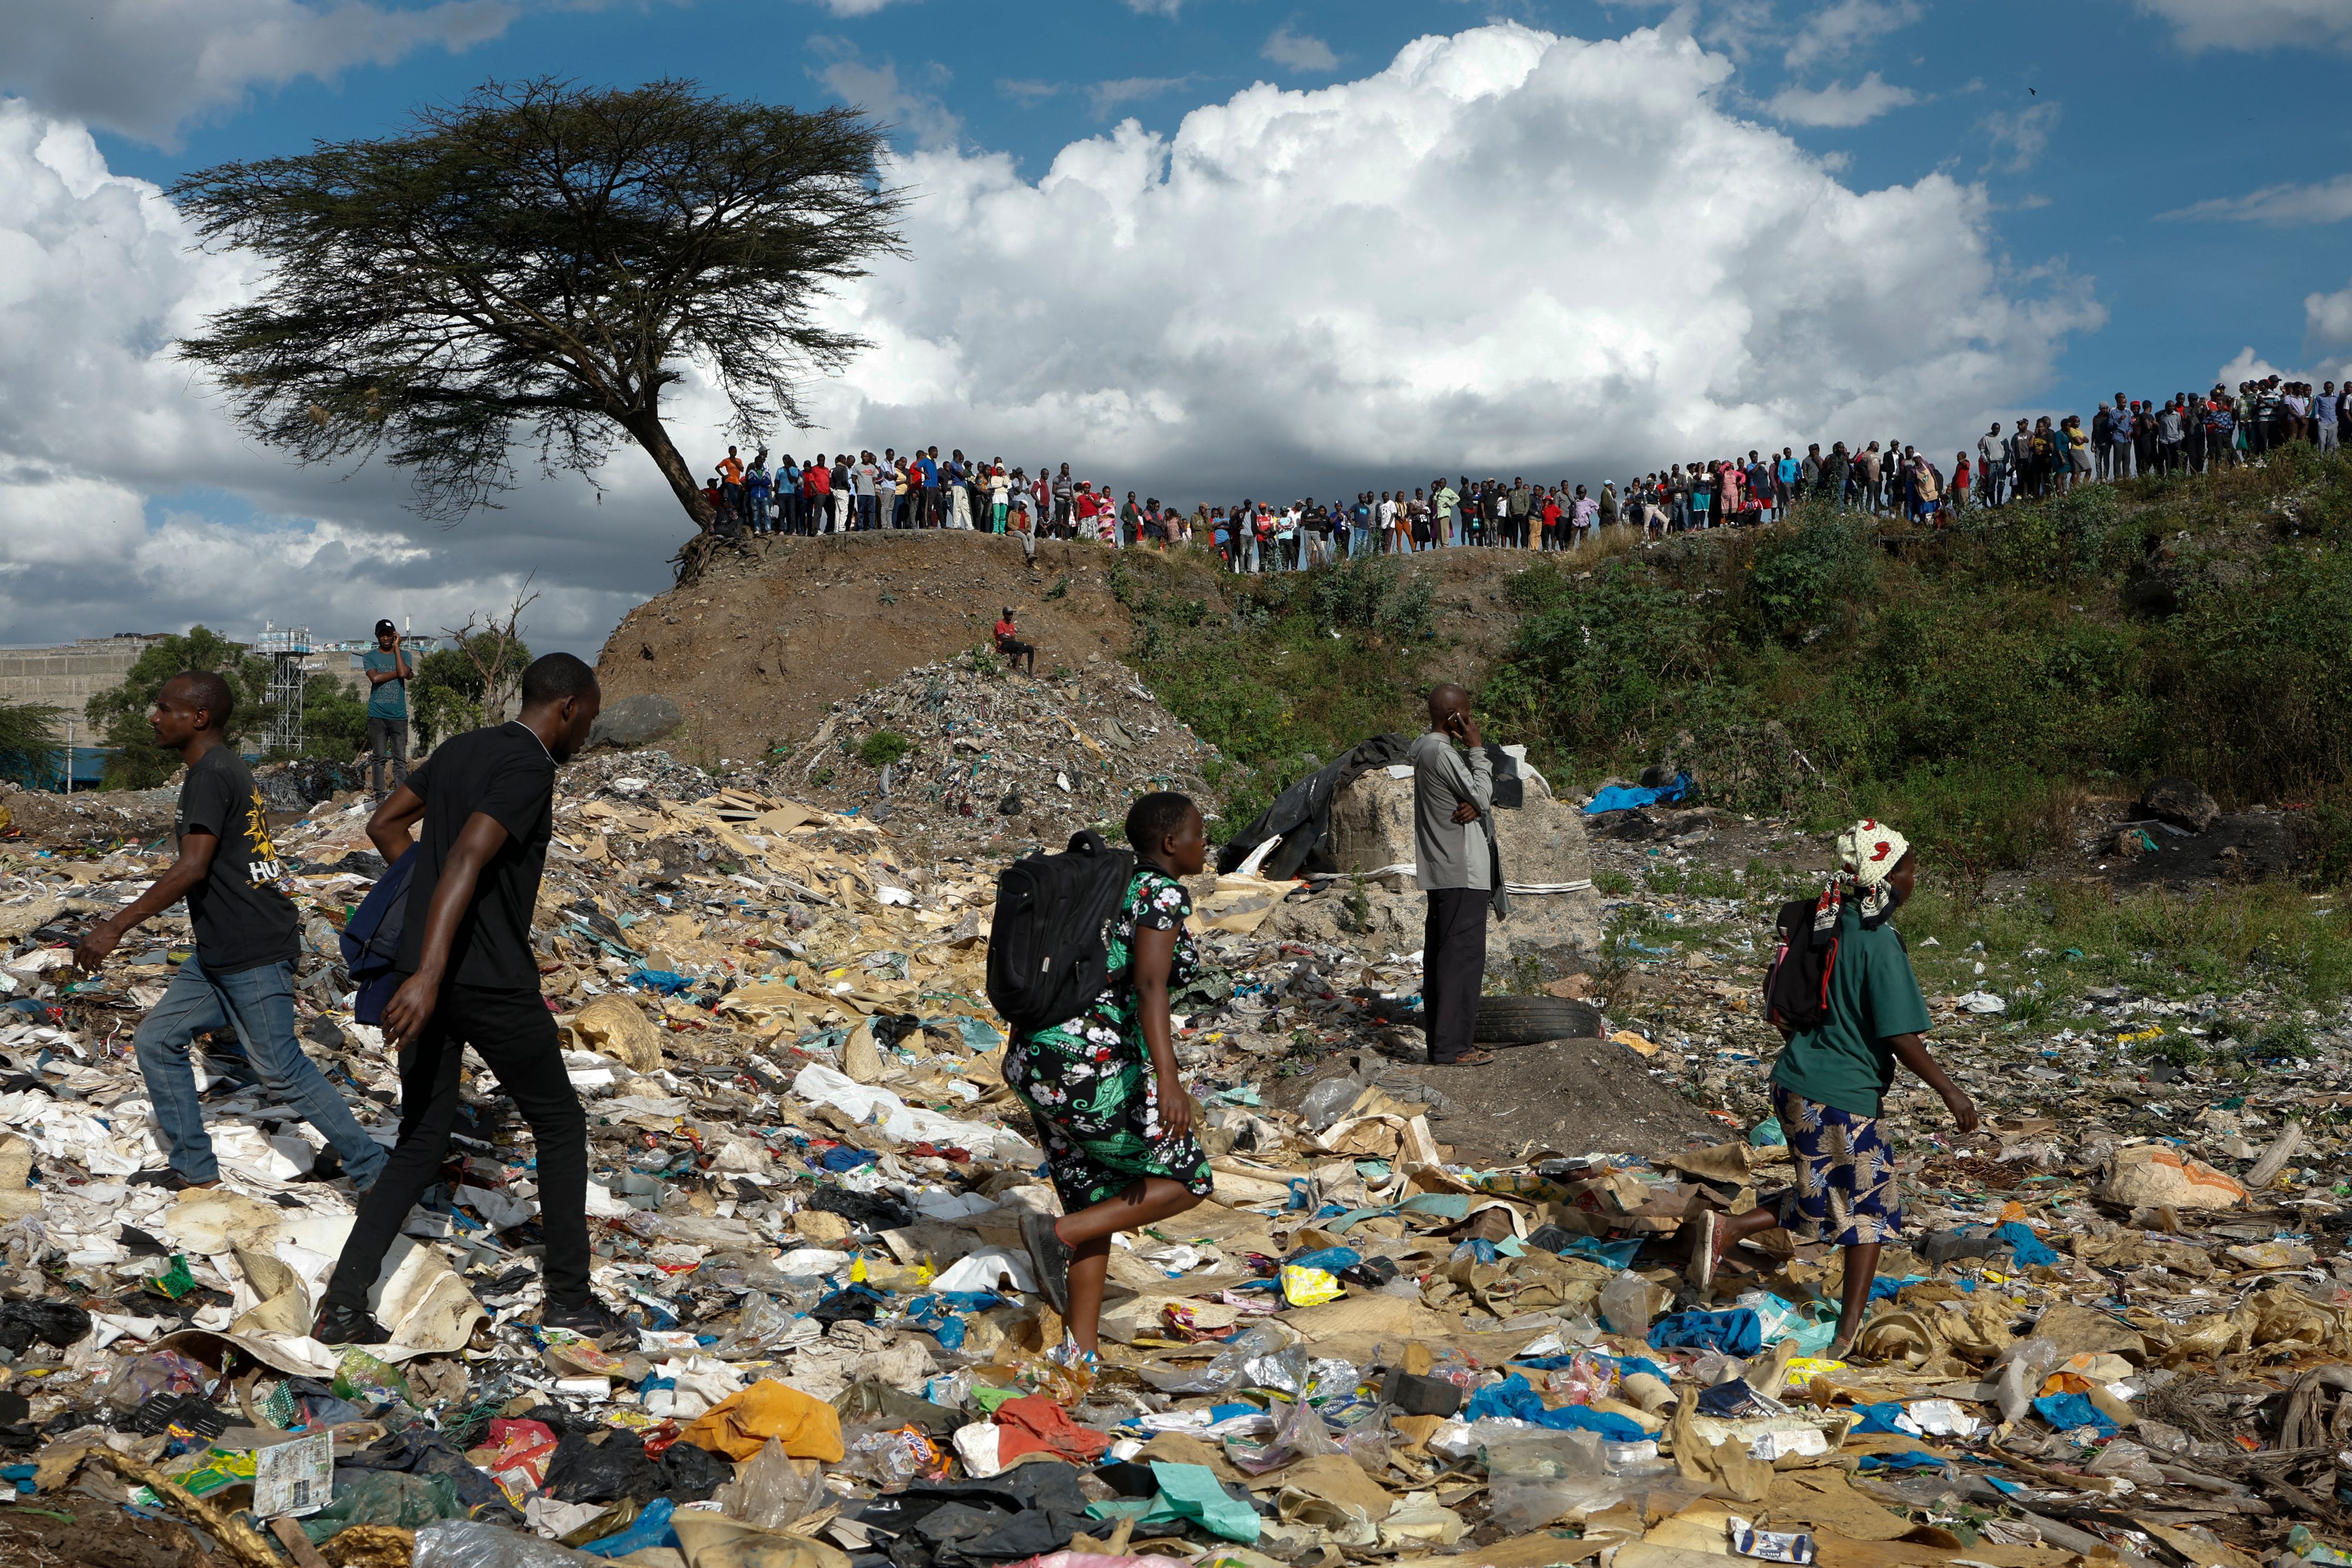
(1215, 248)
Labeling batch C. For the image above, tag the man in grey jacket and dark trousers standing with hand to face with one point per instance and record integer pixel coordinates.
(1452, 864)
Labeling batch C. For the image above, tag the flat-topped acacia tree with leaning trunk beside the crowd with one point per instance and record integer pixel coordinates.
(540, 262)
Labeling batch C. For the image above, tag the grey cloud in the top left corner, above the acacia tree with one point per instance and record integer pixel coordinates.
(147, 67)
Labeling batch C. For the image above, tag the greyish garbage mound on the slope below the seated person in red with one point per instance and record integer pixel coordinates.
(987, 758)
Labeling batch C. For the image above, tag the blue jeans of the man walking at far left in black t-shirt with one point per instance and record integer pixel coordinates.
(260, 1005)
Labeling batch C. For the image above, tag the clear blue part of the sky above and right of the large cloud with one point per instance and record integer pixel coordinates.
(2087, 138)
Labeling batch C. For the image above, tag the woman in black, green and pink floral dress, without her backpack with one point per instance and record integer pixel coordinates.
(1104, 1092)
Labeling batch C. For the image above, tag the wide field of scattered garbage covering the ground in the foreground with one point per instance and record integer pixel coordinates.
(808, 1186)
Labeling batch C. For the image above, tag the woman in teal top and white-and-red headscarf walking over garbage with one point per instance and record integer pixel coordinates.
(1836, 1071)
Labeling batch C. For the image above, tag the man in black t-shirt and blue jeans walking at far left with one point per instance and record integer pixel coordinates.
(246, 942)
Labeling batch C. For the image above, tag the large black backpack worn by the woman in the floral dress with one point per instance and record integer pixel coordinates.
(1050, 942)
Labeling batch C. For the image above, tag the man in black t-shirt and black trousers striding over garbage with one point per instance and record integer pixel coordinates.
(488, 810)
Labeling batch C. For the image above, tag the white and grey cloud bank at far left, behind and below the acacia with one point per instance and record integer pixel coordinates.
(128, 502)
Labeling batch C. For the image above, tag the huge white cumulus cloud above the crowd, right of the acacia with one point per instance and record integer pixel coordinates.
(1502, 253)
